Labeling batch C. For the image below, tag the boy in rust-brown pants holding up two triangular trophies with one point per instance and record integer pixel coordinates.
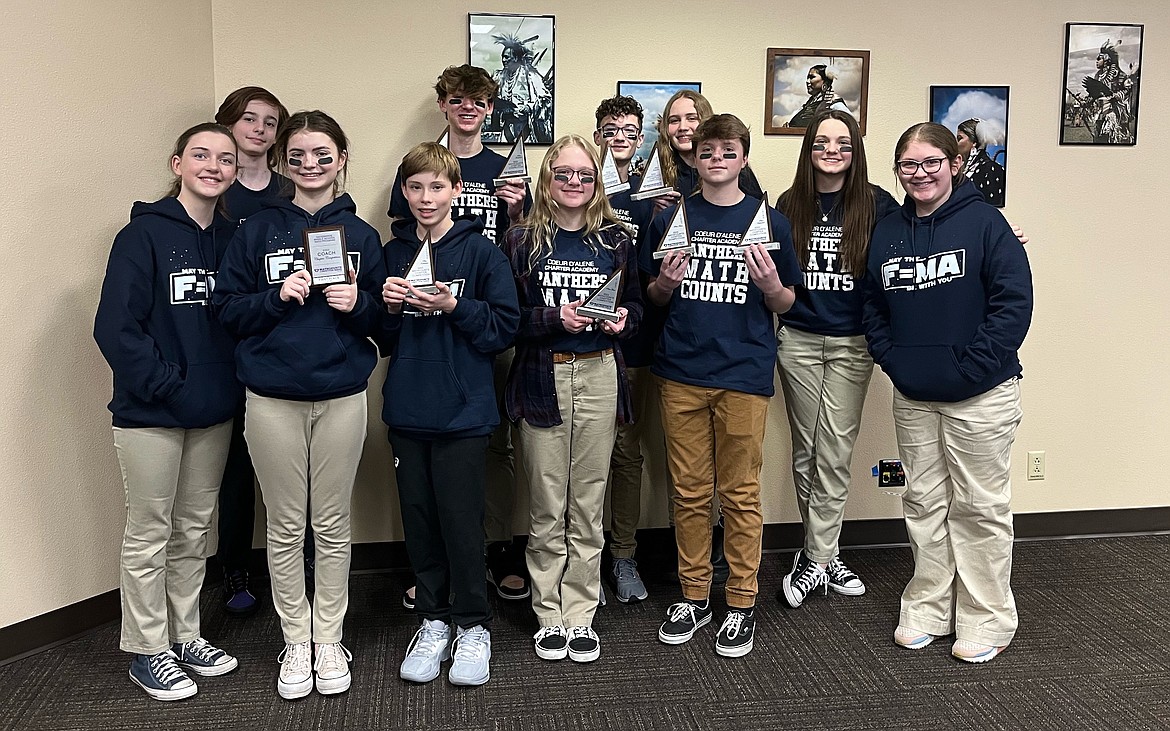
(715, 377)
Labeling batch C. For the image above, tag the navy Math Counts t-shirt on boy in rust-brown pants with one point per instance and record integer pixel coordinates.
(719, 332)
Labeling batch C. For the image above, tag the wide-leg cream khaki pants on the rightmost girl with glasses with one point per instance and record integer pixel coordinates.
(959, 516)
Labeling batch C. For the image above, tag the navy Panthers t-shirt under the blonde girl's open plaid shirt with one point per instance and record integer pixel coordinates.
(575, 271)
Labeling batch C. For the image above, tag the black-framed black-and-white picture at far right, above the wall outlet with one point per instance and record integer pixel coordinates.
(1103, 80)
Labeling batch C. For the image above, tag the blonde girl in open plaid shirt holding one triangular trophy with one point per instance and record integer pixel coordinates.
(568, 389)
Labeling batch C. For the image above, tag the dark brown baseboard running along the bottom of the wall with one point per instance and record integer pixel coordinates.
(656, 546)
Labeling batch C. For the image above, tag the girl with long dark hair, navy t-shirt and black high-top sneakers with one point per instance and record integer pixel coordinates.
(822, 356)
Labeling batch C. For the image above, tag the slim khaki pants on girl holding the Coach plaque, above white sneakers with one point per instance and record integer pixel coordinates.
(306, 454)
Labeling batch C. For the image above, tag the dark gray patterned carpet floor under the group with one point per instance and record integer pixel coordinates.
(1091, 654)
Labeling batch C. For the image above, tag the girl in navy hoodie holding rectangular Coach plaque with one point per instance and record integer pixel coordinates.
(305, 356)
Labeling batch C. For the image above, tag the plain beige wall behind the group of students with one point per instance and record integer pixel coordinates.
(99, 91)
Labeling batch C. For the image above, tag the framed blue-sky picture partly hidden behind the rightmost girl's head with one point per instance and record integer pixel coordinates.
(979, 118)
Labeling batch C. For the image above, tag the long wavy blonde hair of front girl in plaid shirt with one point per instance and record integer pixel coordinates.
(541, 225)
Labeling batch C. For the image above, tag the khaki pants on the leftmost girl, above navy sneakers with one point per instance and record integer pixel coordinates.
(171, 479)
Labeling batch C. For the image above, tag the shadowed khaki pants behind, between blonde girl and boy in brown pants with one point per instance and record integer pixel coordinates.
(627, 468)
